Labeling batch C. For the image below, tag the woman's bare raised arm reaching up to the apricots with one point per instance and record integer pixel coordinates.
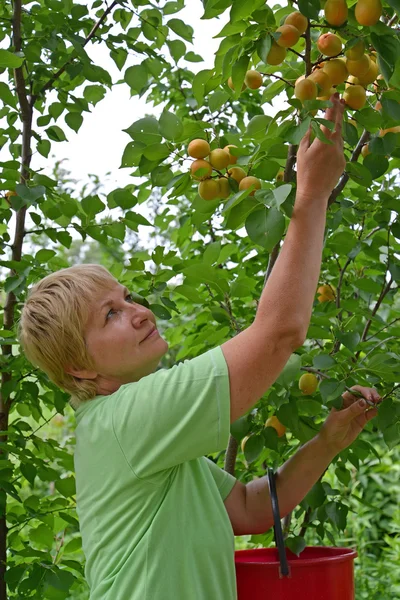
(256, 356)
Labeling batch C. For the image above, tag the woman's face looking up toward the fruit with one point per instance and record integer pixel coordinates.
(122, 339)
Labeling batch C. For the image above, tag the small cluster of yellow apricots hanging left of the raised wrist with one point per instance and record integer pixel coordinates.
(215, 173)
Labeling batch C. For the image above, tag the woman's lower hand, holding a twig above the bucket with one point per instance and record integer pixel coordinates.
(343, 426)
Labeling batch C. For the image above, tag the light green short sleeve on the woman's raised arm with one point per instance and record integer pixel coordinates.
(174, 415)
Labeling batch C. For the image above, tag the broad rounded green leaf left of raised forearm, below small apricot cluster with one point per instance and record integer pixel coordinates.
(265, 227)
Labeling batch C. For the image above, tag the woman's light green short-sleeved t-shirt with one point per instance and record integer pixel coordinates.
(150, 505)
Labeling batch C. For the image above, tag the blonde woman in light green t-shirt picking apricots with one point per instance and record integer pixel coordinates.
(157, 518)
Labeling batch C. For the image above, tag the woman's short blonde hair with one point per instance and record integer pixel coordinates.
(52, 325)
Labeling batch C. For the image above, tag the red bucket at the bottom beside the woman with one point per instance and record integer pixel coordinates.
(319, 573)
